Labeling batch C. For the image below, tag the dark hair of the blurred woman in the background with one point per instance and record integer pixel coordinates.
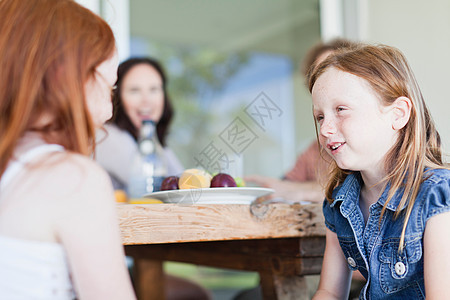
(120, 117)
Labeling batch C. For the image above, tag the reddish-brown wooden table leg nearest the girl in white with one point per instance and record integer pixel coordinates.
(149, 279)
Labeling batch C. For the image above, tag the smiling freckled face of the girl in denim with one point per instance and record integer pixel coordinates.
(354, 128)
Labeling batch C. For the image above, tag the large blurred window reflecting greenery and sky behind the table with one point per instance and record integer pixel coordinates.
(234, 79)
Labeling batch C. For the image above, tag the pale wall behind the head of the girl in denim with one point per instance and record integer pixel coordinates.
(420, 29)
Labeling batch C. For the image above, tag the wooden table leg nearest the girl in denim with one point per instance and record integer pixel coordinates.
(276, 286)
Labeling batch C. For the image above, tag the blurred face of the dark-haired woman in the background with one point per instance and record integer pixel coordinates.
(142, 94)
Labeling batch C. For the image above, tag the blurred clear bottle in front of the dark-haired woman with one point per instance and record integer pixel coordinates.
(149, 167)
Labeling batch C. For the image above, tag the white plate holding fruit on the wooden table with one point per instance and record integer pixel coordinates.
(231, 195)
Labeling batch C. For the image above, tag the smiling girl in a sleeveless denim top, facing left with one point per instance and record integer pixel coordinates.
(388, 199)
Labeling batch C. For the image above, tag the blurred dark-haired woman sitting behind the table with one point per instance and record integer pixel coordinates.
(141, 94)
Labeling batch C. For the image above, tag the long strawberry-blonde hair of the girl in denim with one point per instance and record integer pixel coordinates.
(418, 145)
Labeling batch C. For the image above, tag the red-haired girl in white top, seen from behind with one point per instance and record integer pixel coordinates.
(59, 234)
